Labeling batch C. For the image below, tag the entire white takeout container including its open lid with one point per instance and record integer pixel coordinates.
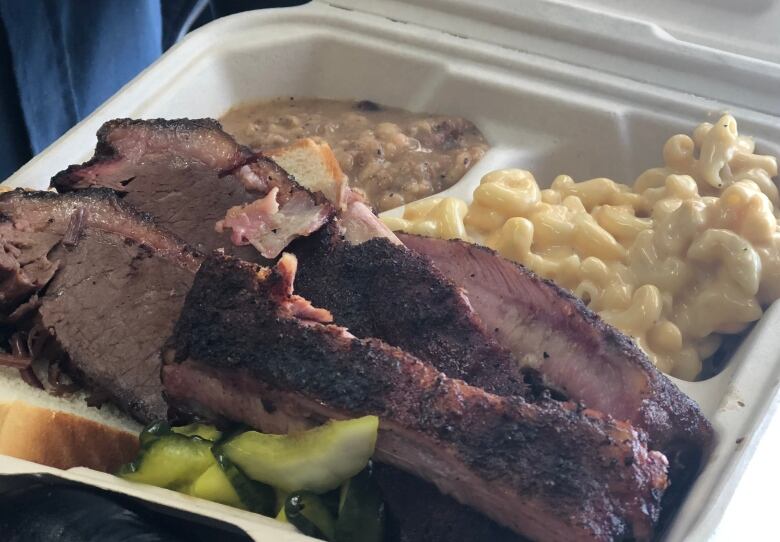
(585, 88)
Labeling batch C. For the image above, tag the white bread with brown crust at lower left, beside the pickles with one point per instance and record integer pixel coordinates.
(62, 432)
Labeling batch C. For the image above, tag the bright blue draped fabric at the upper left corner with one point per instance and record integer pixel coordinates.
(70, 55)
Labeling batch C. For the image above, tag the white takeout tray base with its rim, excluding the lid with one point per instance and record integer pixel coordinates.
(541, 114)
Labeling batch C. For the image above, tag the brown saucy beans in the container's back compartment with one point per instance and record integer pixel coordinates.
(393, 156)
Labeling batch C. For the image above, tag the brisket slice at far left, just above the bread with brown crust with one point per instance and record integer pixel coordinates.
(117, 287)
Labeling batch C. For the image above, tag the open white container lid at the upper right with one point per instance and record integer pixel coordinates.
(723, 50)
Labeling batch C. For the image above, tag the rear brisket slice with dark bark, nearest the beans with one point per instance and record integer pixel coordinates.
(188, 174)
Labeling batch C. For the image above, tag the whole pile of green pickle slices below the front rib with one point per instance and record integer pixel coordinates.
(316, 480)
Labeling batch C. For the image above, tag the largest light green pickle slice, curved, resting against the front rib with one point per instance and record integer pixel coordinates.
(317, 460)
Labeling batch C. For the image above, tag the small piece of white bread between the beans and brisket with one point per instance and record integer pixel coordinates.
(314, 166)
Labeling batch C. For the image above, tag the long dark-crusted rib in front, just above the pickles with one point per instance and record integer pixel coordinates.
(548, 470)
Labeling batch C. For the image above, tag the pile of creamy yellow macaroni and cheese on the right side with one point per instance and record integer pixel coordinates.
(687, 254)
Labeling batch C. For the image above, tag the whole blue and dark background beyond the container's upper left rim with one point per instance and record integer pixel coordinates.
(61, 59)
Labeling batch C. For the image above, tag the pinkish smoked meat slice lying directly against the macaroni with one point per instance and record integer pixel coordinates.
(550, 330)
